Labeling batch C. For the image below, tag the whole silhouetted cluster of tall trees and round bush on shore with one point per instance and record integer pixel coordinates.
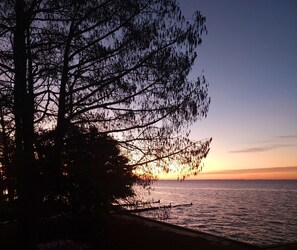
(93, 92)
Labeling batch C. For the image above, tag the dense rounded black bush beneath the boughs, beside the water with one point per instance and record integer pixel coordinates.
(96, 172)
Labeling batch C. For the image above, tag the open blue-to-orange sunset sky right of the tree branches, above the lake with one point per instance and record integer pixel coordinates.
(249, 58)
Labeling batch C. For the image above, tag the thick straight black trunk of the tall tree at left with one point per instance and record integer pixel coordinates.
(25, 163)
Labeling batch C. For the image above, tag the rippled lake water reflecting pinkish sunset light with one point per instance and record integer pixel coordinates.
(257, 212)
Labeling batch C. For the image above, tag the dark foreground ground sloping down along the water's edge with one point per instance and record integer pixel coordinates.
(127, 232)
